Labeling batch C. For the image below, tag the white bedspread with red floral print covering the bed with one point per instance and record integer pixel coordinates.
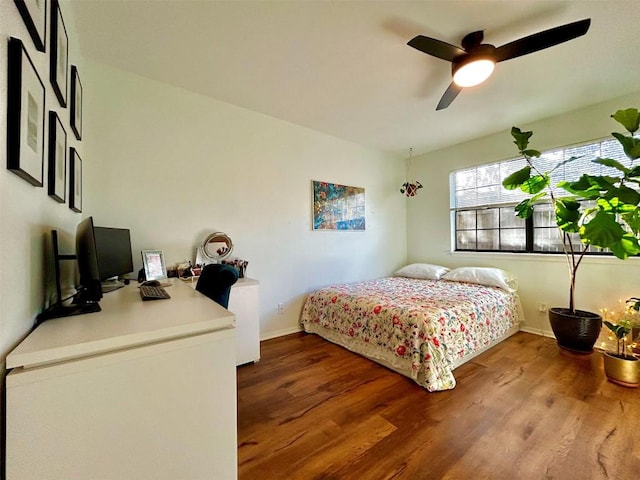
(418, 327)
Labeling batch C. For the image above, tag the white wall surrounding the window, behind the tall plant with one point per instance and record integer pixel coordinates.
(601, 282)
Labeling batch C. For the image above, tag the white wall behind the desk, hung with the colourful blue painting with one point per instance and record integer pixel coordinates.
(174, 166)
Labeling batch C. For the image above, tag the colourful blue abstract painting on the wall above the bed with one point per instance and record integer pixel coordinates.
(338, 207)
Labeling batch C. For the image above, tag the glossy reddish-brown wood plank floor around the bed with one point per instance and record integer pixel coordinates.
(523, 410)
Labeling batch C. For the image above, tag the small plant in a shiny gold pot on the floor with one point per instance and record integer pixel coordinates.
(622, 367)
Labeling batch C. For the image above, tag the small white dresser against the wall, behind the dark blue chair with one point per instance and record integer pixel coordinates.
(244, 303)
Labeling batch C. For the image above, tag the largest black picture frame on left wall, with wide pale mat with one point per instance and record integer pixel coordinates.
(25, 116)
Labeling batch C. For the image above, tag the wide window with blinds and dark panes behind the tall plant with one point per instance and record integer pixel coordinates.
(482, 210)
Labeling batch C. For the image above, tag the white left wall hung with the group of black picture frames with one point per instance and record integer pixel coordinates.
(27, 213)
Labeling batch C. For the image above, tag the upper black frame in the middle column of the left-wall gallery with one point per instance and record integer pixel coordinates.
(59, 56)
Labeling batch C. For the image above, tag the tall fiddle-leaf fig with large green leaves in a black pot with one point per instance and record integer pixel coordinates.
(599, 210)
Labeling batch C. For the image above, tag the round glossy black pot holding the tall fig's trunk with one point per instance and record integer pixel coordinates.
(576, 331)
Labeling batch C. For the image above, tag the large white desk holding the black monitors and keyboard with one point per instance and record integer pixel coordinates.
(138, 390)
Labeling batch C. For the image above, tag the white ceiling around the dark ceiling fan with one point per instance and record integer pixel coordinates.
(343, 67)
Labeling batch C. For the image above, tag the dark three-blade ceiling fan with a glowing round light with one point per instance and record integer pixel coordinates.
(474, 62)
